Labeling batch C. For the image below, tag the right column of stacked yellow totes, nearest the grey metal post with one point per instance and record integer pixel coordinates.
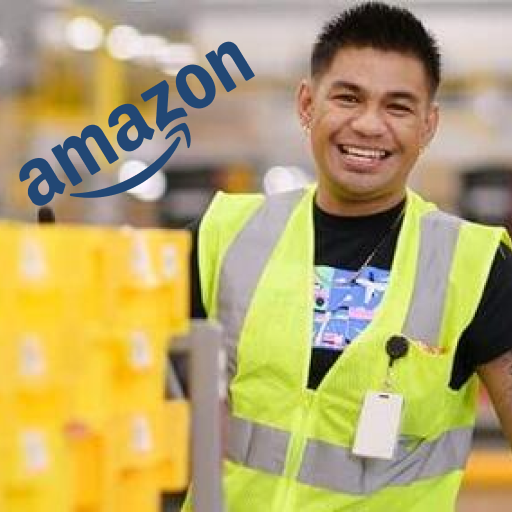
(146, 299)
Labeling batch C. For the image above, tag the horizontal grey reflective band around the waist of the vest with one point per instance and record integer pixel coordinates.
(333, 467)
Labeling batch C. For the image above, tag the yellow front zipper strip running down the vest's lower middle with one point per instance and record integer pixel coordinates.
(284, 501)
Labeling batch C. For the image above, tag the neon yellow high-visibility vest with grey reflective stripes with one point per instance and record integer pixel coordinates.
(289, 447)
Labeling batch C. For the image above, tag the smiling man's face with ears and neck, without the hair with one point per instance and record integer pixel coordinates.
(370, 115)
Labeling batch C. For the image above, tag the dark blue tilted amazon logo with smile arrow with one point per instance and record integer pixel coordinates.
(164, 118)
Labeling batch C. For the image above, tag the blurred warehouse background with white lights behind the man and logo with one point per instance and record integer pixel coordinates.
(67, 64)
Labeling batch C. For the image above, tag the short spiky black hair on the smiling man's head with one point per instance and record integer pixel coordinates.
(380, 26)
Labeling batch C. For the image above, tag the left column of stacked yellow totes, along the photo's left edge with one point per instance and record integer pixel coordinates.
(44, 284)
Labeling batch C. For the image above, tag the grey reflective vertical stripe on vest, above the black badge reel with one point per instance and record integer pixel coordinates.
(438, 239)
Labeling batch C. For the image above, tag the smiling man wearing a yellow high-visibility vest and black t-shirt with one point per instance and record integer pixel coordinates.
(358, 317)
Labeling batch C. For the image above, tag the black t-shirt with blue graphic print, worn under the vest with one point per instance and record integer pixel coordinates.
(342, 245)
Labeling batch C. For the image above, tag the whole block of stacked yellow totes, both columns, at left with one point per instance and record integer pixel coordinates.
(86, 316)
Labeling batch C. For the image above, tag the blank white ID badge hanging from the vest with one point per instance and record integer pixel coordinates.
(378, 426)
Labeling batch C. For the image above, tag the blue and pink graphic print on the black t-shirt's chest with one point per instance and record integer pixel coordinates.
(343, 309)
